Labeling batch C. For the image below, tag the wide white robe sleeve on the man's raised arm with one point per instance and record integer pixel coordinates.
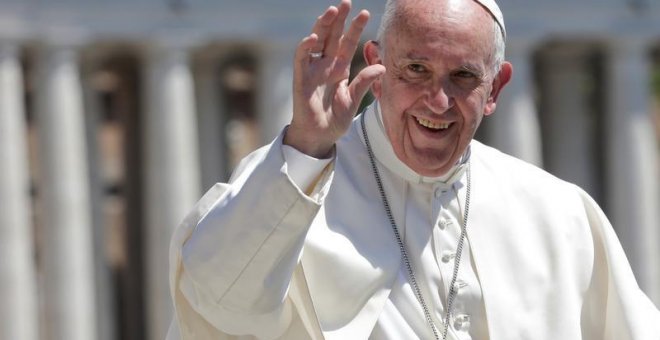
(233, 257)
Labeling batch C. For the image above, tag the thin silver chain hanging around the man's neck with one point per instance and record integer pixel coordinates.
(402, 248)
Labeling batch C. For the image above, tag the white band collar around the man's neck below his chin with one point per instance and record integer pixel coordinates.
(385, 153)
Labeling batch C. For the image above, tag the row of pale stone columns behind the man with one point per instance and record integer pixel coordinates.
(174, 168)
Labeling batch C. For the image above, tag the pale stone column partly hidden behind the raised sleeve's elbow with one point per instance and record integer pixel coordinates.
(172, 169)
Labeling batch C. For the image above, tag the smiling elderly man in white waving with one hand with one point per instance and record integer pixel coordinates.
(396, 224)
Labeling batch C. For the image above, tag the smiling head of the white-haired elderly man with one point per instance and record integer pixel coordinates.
(442, 77)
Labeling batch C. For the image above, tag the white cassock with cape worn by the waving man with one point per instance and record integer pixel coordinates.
(262, 258)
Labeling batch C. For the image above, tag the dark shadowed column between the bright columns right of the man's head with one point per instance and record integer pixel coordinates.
(570, 125)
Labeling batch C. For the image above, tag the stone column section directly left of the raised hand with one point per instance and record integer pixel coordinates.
(275, 86)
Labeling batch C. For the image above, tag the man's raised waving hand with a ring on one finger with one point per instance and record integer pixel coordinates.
(324, 102)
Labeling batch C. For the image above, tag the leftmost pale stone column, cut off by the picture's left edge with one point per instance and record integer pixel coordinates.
(18, 310)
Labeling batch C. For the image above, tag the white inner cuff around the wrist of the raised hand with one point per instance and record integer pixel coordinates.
(301, 168)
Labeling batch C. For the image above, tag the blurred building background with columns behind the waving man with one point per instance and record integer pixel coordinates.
(115, 116)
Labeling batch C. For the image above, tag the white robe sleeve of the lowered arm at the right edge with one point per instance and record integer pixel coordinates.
(616, 308)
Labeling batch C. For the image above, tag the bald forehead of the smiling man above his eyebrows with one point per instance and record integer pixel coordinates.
(441, 29)
